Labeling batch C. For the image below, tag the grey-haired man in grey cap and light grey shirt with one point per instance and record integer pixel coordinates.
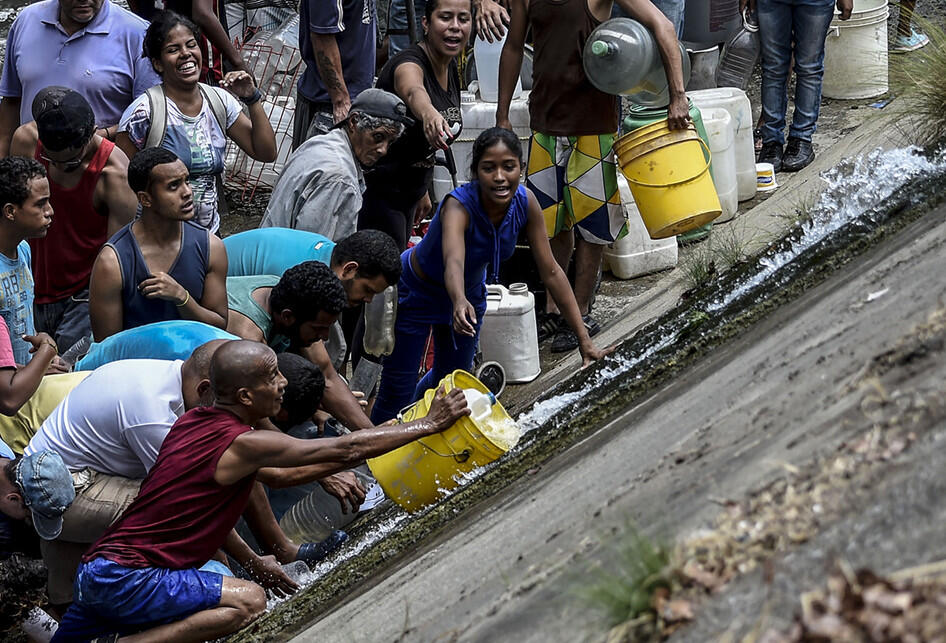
(321, 186)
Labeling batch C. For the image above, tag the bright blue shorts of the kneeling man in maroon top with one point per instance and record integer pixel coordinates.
(110, 598)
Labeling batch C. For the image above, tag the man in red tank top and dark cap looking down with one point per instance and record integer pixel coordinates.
(89, 192)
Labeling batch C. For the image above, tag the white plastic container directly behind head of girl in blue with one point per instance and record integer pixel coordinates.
(479, 115)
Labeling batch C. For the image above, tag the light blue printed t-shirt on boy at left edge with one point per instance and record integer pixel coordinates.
(16, 300)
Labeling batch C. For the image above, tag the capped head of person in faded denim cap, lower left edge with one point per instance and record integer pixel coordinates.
(36, 487)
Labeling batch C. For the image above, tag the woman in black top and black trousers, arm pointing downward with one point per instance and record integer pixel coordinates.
(425, 77)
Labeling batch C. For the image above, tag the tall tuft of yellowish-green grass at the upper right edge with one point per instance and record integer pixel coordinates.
(918, 77)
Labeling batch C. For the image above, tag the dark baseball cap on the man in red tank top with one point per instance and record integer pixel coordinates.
(64, 118)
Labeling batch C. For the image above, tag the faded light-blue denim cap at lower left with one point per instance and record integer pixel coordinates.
(47, 489)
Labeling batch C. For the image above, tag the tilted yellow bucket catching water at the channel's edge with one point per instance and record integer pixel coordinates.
(418, 473)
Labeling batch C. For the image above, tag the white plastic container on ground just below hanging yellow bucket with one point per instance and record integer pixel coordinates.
(637, 254)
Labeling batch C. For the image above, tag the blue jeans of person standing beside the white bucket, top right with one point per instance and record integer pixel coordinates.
(787, 28)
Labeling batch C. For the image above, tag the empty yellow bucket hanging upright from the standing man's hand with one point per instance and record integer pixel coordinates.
(668, 173)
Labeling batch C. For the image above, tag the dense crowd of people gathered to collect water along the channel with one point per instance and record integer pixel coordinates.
(153, 375)
